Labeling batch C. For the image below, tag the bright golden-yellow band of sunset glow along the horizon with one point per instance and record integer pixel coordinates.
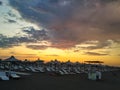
(49, 54)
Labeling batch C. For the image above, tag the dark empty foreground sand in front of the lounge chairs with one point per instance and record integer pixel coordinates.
(38, 81)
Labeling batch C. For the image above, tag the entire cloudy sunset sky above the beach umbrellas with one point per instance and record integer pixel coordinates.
(75, 30)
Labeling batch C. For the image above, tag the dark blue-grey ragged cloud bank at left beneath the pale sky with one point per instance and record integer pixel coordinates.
(32, 36)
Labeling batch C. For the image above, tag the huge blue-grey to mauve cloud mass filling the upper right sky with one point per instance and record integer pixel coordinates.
(73, 21)
